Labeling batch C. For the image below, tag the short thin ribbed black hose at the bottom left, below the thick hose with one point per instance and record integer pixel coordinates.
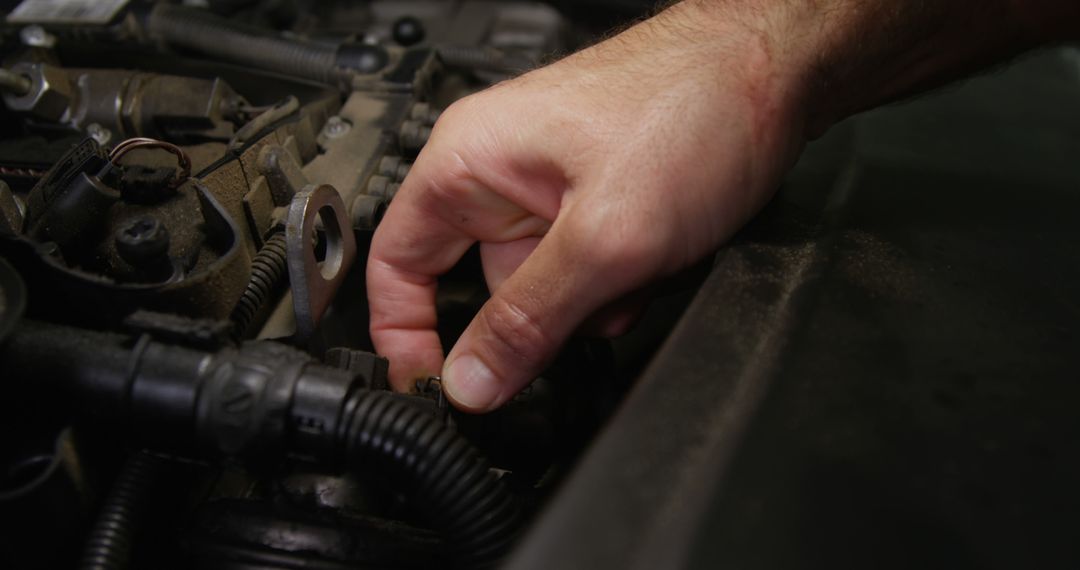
(110, 542)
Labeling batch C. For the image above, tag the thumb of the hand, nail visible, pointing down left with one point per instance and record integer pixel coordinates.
(529, 318)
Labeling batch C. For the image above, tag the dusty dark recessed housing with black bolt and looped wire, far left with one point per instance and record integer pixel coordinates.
(94, 239)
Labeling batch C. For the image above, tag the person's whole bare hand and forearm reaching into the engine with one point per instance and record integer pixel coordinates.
(588, 180)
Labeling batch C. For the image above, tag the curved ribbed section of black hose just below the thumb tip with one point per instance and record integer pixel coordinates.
(447, 477)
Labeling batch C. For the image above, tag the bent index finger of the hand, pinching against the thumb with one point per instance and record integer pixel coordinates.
(441, 211)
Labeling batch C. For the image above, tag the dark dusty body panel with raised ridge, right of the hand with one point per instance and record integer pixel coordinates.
(881, 373)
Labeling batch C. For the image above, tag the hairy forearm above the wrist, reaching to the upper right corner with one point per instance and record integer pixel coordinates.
(844, 57)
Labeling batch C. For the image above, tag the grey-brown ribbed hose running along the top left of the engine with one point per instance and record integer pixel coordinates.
(207, 34)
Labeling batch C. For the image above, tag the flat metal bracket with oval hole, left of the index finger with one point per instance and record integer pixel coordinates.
(314, 282)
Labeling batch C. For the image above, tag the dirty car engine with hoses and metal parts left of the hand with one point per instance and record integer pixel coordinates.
(187, 197)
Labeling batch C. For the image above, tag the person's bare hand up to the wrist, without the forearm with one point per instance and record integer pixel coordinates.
(584, 182)
